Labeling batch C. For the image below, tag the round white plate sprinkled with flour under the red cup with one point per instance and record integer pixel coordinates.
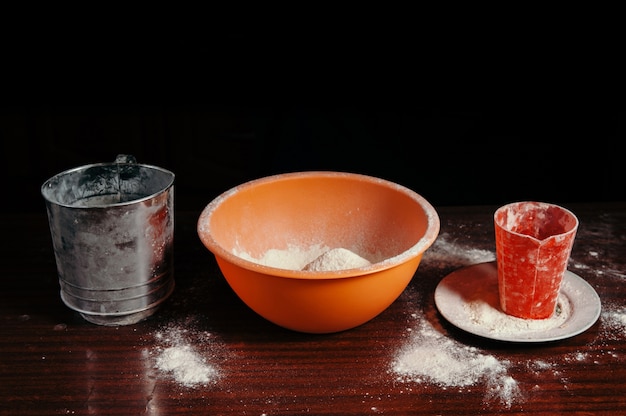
(468, 298)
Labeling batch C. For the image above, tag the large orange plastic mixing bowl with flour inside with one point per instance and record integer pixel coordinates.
(307, 213)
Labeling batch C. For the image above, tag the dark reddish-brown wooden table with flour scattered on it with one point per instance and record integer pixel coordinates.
(53, 362)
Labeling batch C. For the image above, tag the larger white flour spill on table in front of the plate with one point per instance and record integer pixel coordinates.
(431, 357)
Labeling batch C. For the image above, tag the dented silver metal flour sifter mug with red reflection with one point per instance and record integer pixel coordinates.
(112, 229)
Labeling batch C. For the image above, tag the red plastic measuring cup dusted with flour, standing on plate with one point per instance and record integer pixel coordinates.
(533, 245)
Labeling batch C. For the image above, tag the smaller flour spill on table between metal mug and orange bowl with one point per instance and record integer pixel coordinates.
(178, 358)
